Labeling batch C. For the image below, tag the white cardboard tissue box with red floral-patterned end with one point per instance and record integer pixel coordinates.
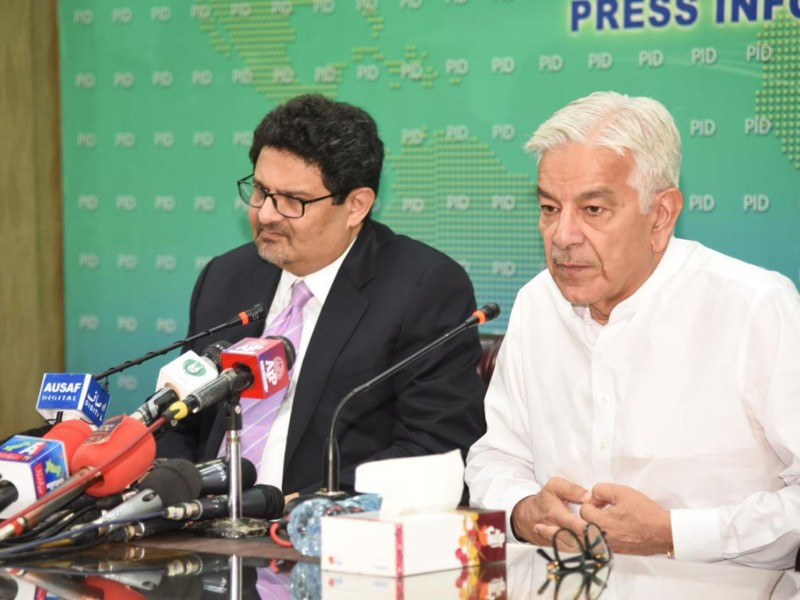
(410, 544)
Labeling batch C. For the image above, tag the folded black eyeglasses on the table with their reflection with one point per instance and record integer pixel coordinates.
(584, 573)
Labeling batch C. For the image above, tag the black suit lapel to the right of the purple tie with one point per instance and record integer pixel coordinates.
(341, 313)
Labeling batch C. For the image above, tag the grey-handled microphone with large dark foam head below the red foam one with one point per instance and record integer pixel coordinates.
(172, 482)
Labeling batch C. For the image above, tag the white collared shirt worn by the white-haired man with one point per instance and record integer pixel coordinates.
(690, 394)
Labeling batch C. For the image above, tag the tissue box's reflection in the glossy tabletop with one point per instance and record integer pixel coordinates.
(479, 581)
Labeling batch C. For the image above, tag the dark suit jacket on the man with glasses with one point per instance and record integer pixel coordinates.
(392, 296)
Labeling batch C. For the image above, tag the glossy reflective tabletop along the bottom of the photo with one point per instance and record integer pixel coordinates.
(183, 566)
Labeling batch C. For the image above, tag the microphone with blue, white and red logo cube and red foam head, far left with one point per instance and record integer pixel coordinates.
(30, 467)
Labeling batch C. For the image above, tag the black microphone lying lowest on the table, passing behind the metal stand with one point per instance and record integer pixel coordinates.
(259, 502)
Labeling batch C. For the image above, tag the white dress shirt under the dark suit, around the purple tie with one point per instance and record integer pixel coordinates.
(271, 469)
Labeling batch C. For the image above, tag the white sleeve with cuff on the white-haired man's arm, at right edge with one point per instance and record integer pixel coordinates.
(763, 530)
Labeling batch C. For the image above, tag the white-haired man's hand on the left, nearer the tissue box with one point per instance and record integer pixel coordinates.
(538, 517)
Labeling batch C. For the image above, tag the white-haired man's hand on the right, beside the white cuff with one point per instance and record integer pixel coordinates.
(633, 523)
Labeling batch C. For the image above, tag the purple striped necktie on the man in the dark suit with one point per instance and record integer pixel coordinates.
(259, 415)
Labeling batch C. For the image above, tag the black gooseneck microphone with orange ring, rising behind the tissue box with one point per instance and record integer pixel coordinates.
(331, 457)
